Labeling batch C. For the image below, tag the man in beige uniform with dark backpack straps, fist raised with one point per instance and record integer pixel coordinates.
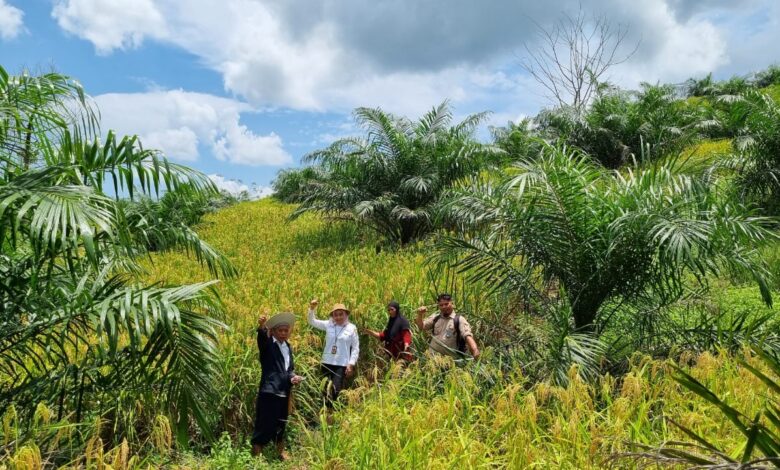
(442, 327)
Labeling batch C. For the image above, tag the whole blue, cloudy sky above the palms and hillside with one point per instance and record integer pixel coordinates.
(240, 89)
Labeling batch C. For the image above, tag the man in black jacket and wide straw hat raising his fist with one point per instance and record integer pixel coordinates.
(278, 377)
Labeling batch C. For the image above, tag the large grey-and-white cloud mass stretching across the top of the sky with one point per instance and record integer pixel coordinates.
(404, 55)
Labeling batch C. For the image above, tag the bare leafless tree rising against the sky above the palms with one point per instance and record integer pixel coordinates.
(574, 55)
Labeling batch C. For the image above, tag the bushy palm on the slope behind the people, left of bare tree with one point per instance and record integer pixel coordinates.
(392, 178)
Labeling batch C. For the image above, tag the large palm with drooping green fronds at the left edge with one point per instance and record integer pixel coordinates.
(78, 328)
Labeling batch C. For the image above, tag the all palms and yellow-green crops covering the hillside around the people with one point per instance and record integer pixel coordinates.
(623, 309)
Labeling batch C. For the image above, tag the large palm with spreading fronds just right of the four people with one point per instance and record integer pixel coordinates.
(600, 235)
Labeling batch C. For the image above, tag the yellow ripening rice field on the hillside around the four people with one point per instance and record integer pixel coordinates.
(430, 414)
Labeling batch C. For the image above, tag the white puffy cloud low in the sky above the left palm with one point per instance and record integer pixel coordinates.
(179, 122)
